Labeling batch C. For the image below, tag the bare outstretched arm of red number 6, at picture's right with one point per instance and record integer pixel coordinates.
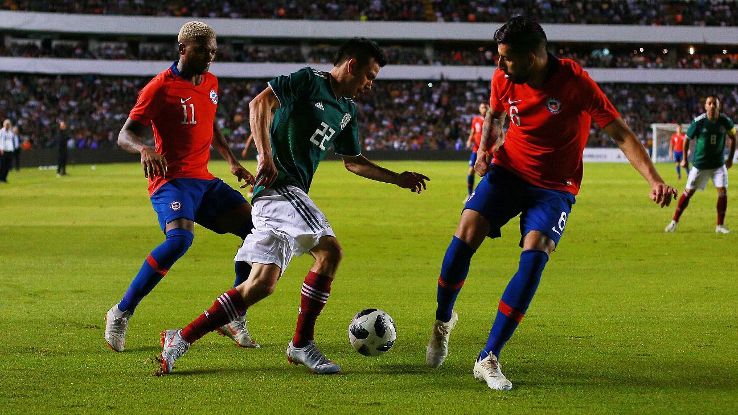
(661, 193)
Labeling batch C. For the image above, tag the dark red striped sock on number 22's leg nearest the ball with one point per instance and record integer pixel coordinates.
(315, 291)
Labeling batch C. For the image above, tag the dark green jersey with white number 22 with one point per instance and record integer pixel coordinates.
(309, 121)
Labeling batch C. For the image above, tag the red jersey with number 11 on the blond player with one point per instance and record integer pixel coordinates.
(181, 115)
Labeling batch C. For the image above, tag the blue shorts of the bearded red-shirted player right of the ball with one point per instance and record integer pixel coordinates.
(500, 196)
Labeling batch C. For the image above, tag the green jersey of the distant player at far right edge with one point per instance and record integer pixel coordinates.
(709, 141)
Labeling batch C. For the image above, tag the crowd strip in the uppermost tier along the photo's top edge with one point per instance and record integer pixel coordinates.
(634, 12)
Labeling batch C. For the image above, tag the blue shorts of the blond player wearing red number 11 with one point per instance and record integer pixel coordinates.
(201, 201)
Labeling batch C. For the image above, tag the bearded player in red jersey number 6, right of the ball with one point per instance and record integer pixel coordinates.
(534, 173)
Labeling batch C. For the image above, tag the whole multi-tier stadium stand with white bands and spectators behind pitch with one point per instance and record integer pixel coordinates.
(89, 71)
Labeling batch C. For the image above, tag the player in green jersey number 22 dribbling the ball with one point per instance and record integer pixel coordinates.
(295, 121)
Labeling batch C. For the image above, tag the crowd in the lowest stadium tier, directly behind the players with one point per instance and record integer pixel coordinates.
(398, 115)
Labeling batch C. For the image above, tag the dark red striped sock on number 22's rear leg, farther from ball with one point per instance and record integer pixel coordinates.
(225, 309)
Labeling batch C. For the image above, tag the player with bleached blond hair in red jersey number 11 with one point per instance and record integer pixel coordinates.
(179, 105)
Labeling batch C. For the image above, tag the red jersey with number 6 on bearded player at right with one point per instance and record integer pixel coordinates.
(549, 126)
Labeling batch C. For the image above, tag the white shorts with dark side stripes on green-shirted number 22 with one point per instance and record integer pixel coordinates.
(286, 224)
